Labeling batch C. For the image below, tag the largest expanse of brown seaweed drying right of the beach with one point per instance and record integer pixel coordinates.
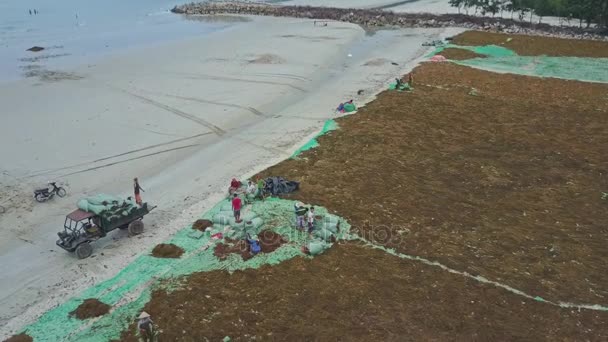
(418, 259)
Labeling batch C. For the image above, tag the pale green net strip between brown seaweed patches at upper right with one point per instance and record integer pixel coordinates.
(501, 59)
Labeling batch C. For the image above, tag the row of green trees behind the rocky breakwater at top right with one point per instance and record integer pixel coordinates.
(587, 12)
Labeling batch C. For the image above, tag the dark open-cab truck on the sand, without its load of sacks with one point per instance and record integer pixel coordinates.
(83, 227)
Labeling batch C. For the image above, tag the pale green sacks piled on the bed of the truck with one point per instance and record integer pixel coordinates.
(108, 207)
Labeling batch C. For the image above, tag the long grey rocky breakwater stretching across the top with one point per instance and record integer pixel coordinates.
(376, 18)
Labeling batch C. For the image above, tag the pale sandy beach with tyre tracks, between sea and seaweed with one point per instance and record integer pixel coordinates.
(185, 117)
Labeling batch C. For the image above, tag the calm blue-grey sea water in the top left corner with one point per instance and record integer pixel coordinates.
(76, 32)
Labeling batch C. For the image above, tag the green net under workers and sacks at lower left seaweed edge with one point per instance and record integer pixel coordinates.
(131, 288)
